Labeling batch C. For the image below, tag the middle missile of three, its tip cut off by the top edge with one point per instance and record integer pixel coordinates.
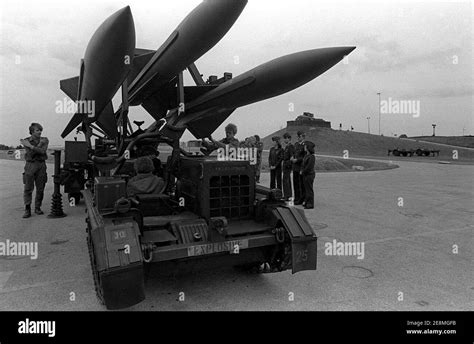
(194, 36)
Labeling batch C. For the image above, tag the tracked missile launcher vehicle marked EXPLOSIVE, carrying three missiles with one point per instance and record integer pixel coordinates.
(210, 212)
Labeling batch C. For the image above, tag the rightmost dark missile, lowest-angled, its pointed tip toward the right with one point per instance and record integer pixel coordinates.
(268, 80)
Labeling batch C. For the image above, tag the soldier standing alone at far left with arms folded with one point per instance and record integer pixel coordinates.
(35, 168)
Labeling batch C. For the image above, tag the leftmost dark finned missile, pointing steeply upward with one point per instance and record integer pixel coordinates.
(107, 61)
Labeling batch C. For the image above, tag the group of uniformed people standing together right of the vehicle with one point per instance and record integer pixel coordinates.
(297, 158)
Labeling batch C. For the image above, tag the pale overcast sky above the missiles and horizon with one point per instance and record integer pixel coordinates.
(411, 51)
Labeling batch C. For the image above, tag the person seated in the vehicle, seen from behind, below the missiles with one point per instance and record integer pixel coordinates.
(145, 182)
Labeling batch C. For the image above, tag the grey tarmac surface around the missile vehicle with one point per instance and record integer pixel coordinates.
(416, 224)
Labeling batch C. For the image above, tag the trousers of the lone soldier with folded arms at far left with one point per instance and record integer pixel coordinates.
(34, 175)
